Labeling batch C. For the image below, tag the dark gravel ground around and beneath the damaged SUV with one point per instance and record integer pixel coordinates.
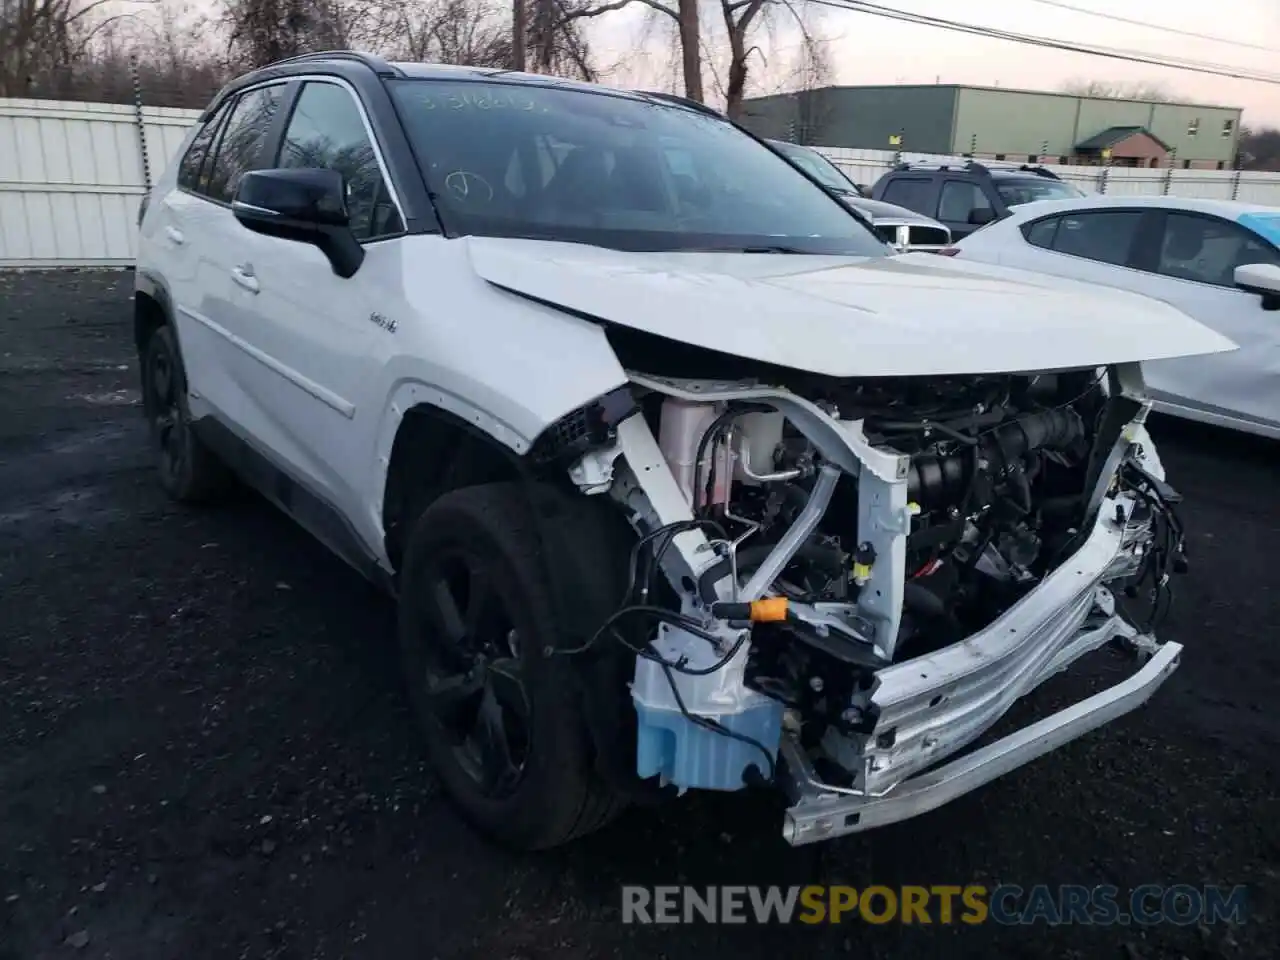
(205, 749)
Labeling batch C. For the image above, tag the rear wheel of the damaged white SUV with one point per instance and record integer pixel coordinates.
(190, 473)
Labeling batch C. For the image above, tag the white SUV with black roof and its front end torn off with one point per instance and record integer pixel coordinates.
(680, 482)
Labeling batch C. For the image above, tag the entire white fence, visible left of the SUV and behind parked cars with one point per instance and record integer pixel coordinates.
(72, 176)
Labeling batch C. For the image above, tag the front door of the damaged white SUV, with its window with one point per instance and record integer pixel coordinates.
(309, 336)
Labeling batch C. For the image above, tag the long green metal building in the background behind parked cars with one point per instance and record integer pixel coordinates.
(1017, 125)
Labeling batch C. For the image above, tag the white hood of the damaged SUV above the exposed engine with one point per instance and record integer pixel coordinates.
(909, 316)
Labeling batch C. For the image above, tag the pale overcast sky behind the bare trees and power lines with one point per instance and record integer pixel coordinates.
(875, 51)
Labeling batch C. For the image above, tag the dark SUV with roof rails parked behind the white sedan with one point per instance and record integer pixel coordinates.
(967, 195)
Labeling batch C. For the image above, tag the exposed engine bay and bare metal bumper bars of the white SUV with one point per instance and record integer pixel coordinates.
(858, 578)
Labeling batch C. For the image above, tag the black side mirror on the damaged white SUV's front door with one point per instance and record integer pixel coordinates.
(304, 205)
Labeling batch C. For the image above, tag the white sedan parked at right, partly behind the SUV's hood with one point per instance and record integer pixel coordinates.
(1217, 260)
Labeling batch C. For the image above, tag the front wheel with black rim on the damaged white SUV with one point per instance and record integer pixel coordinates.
(502, 721)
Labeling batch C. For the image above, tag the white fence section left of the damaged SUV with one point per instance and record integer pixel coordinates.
(72, 176)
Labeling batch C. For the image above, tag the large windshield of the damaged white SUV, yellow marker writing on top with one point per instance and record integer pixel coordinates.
(523, 161)
